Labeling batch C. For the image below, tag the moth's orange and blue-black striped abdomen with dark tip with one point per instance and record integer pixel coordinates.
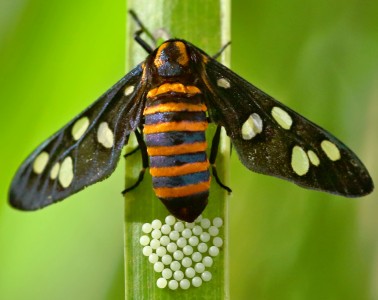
(174, 129)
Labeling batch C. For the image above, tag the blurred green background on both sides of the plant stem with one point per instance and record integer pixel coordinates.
(318, 57)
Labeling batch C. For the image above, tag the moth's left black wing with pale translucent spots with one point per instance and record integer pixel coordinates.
(83, 152)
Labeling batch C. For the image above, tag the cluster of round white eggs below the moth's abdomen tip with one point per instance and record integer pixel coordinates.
(182, 252)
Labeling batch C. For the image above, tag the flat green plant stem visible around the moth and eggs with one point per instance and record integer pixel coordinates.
(206, 25)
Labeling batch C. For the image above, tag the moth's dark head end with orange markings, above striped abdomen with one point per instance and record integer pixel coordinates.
(172, 59)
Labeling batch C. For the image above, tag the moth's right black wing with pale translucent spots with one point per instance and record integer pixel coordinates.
(292, 150)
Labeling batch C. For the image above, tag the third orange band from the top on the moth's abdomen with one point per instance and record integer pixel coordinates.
(175, 126)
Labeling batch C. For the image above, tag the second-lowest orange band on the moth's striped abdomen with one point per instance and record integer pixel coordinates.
(180, 170)
